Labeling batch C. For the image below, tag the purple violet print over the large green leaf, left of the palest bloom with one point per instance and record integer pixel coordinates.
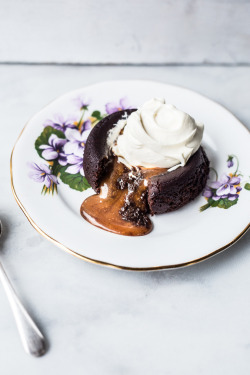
(54, 150)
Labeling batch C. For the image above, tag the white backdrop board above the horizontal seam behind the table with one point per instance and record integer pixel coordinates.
(131, 31)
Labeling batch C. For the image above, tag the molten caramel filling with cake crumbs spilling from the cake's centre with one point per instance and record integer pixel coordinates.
(121, 206)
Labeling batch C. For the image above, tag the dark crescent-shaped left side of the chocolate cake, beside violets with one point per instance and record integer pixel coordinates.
(96, 160)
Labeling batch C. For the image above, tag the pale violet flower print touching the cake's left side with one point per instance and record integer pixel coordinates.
(76, 142)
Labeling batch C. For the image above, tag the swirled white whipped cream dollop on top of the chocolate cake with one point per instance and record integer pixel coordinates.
(157, 135)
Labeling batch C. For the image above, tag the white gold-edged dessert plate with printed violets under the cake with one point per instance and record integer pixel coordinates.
(49, 186)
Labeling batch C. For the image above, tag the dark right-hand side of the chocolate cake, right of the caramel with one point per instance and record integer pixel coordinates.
(172, 190)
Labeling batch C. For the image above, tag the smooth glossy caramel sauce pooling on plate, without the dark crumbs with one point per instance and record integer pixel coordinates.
(103, 210)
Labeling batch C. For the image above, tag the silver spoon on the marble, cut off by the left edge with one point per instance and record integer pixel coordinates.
(31, 337)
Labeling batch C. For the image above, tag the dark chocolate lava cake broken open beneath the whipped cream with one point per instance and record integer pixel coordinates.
(164, 191)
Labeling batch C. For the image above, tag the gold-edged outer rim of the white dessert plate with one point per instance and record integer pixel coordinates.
(96, 261)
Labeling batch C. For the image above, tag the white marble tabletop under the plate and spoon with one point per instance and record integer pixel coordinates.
(102, 321)
